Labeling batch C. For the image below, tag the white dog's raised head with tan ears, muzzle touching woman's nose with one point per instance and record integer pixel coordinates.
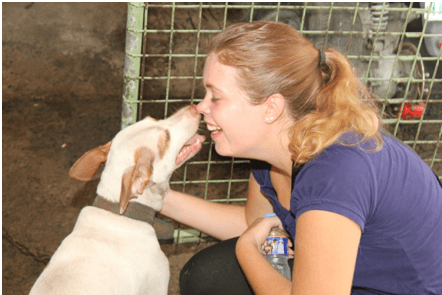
(141, 158)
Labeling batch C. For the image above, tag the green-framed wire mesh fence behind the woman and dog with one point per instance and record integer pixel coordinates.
(394, 47)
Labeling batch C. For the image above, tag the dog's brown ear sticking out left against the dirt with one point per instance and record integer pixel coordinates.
(85, 167)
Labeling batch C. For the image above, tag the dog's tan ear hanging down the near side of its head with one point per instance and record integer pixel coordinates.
(137, 177)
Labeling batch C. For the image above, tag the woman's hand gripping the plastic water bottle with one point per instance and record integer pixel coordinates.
(258, 231)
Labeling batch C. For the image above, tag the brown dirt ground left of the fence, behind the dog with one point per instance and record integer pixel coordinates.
(62, 86)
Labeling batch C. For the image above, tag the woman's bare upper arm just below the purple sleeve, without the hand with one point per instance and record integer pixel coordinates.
(326, 247)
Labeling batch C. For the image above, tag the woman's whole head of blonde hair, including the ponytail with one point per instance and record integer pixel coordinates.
(325, 101)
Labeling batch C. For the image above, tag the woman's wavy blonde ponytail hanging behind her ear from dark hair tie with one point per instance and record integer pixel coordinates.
(342, 104)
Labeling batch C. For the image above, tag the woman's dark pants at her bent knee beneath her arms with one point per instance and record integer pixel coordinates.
(215, 270)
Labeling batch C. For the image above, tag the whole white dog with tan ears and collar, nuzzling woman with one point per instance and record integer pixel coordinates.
(108, 253)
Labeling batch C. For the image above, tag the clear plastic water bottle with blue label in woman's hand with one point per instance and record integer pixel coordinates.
(275, 250)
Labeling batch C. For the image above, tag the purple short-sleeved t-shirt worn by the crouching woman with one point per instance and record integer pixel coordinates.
(395, 198)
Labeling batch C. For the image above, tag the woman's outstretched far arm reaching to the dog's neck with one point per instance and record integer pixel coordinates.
(222, 221)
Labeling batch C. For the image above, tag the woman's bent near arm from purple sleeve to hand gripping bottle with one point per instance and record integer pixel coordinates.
(326, 246)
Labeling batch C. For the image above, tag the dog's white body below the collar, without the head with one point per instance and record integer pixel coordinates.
(106, 254)
